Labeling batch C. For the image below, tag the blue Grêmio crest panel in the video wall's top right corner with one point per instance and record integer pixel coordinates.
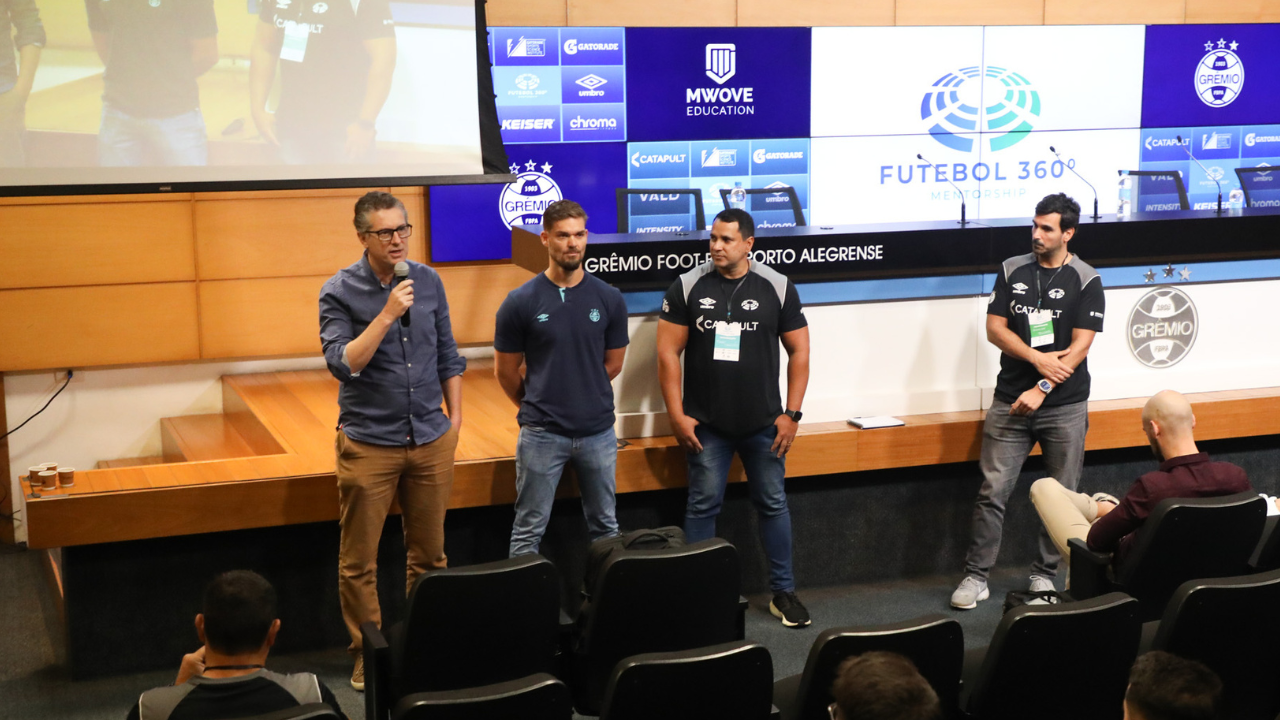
(1223, 75)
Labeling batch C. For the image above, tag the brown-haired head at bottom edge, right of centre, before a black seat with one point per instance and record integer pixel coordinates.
(884, 686)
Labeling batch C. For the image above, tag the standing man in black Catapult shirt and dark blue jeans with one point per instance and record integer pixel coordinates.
(728, 317)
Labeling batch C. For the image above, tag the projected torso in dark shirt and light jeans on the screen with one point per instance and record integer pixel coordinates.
(153, 51)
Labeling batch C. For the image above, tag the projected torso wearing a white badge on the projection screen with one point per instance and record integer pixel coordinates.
(337, 60)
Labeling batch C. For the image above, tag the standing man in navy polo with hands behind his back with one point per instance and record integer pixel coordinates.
(570, 330)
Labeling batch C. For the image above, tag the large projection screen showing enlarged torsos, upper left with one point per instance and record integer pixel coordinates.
(159, 94)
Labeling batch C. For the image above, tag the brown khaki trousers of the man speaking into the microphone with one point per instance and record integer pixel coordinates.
(369, 479)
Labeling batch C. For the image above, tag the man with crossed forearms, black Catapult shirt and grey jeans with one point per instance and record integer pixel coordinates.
(1043, 316)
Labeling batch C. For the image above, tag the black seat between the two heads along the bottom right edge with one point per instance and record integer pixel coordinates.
(1057, 662)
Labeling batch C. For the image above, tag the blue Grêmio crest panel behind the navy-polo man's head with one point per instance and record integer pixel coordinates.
(473, 222)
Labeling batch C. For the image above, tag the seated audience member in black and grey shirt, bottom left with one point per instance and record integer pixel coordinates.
(226, 678)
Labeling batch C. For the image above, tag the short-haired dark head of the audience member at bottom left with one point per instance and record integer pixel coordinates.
(240, 609)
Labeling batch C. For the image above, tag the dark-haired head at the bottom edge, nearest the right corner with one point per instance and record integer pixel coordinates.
(1167, 687)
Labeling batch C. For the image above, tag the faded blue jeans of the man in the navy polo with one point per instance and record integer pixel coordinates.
(541, 459)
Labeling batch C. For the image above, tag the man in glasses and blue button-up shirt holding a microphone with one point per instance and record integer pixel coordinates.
(385, 326)
